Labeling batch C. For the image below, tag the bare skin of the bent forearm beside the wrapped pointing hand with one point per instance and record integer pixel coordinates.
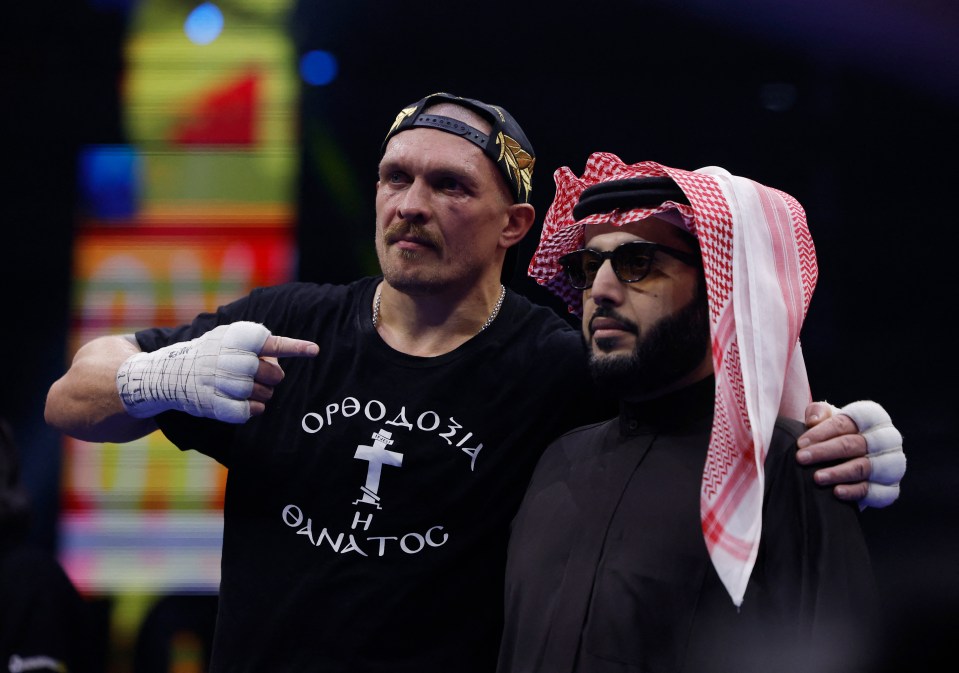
(84, 402)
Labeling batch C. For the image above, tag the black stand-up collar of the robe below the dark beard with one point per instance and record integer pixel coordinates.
(687, 408)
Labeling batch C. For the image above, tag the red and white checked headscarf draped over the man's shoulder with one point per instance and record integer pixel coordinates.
(760, 267)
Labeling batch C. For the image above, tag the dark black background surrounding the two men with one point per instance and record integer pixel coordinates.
(851, 106)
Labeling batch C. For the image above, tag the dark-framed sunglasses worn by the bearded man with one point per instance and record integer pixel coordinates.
(631, 262)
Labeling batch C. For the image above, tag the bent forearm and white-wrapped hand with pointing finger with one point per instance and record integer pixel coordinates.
(113, 390)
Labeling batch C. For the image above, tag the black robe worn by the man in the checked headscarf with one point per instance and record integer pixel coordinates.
(608, 570)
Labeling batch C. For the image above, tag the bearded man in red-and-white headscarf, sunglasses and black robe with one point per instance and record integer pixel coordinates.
(681, 535)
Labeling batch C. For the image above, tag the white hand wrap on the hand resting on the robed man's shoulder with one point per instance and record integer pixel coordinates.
(884, 450)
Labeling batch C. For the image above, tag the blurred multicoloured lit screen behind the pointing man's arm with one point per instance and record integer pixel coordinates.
(194, 210)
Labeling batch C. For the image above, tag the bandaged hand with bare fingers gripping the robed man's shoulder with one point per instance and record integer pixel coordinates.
(863, 434)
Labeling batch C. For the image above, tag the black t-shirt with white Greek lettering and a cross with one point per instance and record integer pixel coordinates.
(367, 510)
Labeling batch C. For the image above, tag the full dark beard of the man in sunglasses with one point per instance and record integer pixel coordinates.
(666, 352)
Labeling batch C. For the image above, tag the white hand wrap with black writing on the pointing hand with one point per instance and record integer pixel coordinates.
(210, 376)
